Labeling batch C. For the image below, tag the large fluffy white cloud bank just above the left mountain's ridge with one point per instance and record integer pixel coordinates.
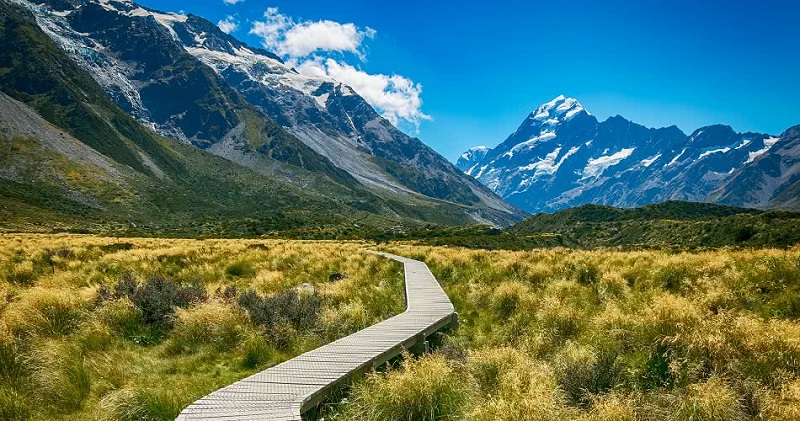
(322, 48)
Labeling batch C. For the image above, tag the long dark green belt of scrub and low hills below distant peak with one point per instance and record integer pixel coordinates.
(668, 225)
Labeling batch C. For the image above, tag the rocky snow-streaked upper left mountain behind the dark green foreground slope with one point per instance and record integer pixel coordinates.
(184, 78)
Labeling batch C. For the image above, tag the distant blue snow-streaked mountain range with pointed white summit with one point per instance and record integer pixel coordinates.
(561, 156)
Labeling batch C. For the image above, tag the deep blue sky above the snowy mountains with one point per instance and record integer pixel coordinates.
(479, 69)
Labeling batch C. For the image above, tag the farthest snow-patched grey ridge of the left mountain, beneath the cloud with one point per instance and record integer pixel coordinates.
(333, 119)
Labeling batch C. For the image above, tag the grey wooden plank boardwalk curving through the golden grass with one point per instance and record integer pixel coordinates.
(287, 390)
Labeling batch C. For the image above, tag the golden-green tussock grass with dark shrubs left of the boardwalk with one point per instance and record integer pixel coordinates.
(136, 329)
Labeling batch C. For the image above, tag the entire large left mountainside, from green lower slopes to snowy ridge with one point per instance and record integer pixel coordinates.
(121, 113)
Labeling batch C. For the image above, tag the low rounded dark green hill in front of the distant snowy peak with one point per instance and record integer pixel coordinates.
(668, 224)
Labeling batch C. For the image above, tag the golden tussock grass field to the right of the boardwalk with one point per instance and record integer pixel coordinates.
(603, 335)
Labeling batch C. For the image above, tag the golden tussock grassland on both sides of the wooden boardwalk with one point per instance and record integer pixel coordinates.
(135, 329)
